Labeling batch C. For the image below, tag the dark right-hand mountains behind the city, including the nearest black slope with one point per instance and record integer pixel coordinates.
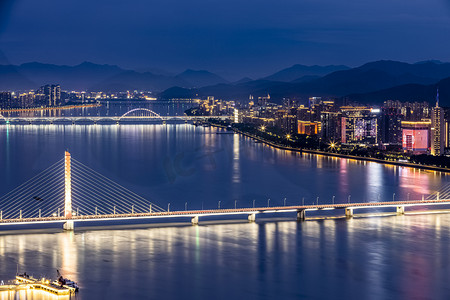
(372, 83)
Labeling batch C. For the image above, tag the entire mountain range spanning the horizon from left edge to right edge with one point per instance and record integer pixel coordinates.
(372, 82)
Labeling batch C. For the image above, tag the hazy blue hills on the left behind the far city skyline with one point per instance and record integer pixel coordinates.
(93, 77)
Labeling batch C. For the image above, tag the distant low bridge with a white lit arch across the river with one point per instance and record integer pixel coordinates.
(135, 115)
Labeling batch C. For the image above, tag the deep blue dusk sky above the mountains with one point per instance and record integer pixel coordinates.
(233, 38)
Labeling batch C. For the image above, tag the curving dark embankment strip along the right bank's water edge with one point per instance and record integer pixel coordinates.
(338, 155)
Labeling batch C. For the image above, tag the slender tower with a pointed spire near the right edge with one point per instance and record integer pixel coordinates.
(437, 129)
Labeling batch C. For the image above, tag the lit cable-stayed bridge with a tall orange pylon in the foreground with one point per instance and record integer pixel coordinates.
(69, 191)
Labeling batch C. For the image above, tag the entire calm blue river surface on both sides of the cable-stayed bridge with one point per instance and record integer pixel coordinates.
(373, 258)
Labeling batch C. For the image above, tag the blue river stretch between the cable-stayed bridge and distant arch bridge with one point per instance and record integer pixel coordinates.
(162, 162)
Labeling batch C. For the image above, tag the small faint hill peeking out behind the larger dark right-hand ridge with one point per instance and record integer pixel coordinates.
(298, 71)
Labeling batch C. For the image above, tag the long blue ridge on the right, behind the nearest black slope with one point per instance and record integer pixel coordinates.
(368, 78)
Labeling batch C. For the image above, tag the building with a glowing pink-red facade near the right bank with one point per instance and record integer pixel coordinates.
(416, 137)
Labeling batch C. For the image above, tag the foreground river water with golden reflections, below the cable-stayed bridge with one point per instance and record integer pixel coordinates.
(389, 257)
